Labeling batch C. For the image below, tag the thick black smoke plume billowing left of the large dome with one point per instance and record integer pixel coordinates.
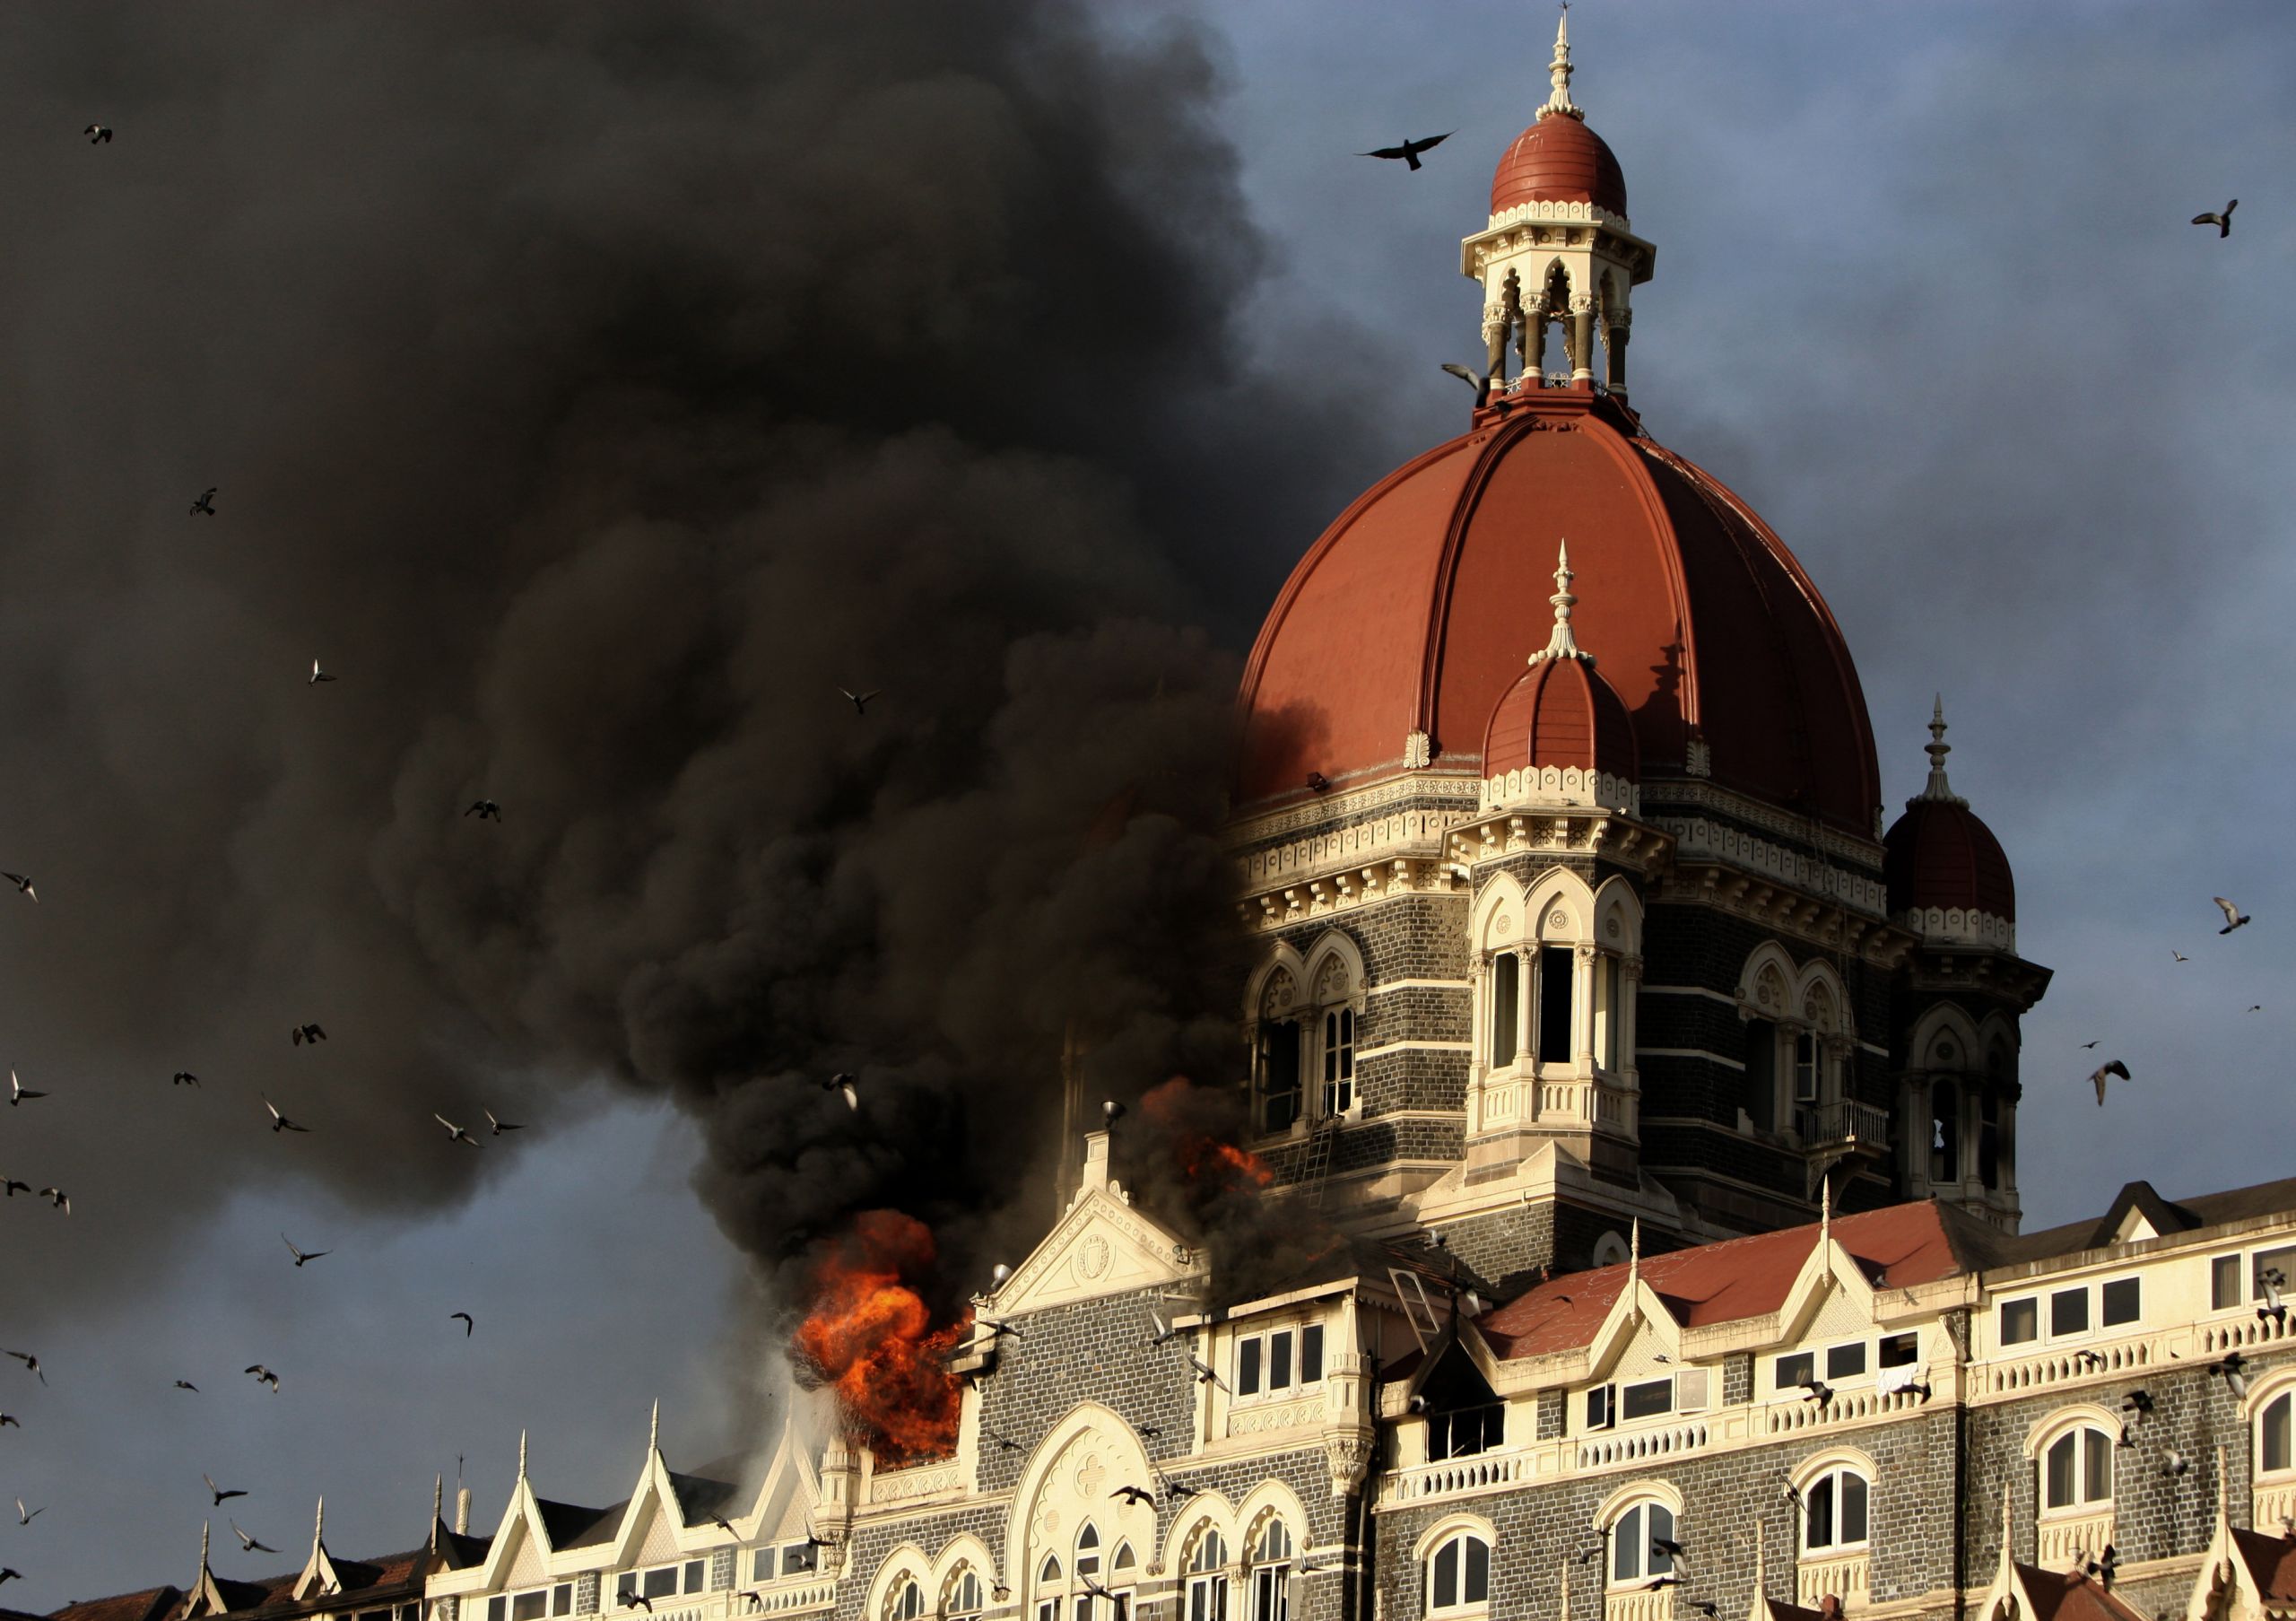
(598, 391)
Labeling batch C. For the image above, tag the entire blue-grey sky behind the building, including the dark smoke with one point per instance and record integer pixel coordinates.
(453, 313)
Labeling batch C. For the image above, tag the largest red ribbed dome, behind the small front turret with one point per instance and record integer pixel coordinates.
(1411, 619)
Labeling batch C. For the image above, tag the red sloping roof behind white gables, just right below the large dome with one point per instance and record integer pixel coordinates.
(1742, 1278)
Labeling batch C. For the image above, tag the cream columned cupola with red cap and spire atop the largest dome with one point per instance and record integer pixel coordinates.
(1558, 245)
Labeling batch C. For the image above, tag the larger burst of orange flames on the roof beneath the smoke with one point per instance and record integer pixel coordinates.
(871, 1337)
